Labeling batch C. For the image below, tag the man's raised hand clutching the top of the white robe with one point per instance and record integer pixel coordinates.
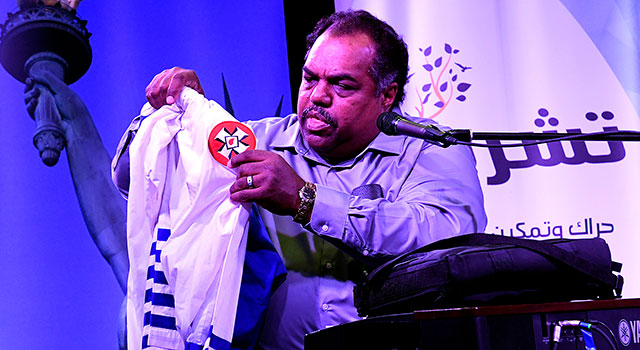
(165, 87)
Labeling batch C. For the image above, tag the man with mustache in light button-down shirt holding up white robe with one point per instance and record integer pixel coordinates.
(335, 194)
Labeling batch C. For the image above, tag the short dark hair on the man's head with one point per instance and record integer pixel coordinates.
(391, 60)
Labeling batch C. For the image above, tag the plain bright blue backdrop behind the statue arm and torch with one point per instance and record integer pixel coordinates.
(57, 292)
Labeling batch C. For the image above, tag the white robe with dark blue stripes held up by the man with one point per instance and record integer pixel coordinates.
(203, 258)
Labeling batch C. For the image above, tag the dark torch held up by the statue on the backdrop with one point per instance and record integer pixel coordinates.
(46, 35)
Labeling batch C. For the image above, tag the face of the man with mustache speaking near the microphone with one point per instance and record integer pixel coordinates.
(337, 101)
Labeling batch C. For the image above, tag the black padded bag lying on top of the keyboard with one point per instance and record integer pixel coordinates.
(484, 269)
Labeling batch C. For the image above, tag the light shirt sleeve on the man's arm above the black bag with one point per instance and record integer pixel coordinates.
(439, 198)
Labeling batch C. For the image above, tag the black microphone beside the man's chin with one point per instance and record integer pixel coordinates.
(392, 123)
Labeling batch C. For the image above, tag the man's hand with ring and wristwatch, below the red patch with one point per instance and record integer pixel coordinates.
(275, 183)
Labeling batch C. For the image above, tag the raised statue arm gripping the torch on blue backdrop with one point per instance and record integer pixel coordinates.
(103, 209)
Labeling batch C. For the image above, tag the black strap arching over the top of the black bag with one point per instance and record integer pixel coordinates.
(479, 239)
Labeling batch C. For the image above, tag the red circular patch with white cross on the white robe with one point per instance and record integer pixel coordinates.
(228, 139)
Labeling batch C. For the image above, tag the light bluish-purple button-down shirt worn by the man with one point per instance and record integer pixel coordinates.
(398, 194)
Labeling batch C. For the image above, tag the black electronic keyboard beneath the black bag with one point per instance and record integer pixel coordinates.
(527, 326)
